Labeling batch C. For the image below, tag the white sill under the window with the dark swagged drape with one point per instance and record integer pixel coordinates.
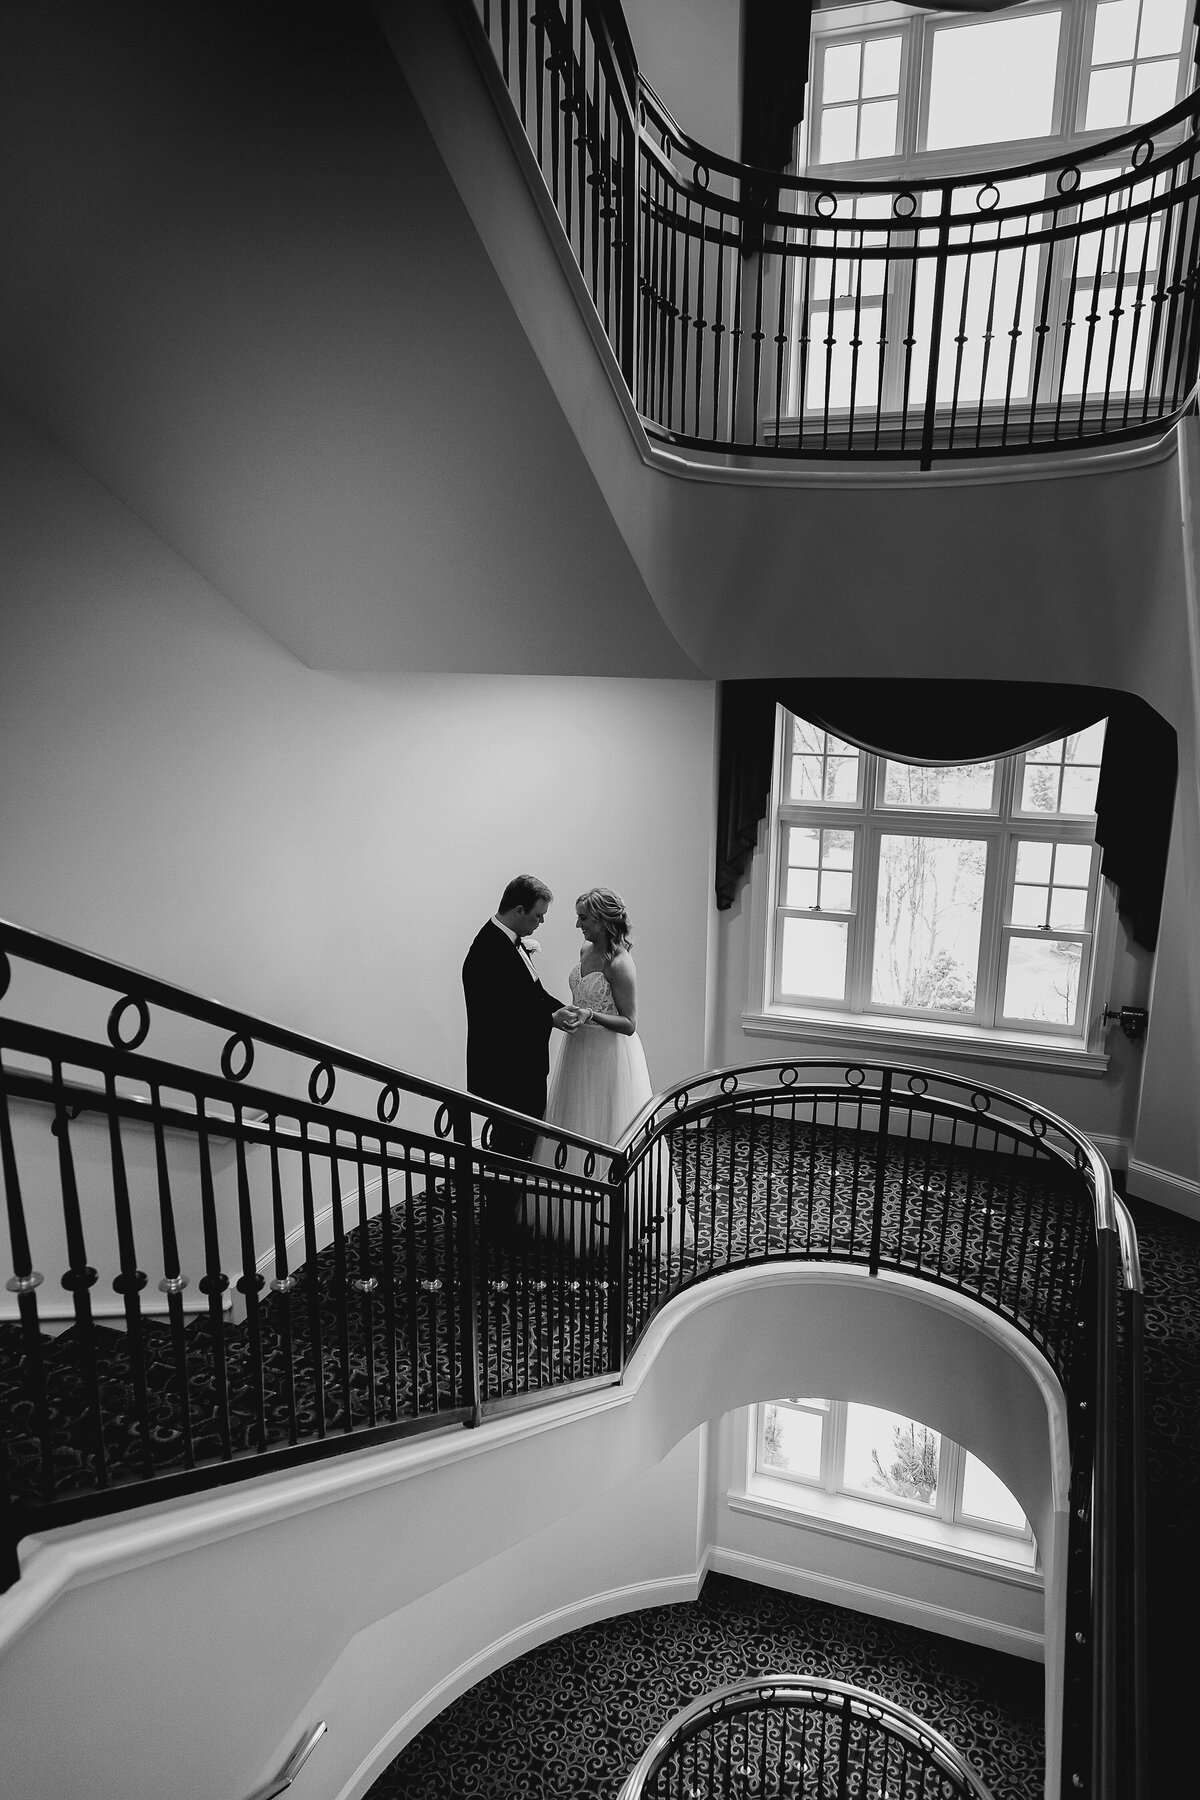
(915, 1038)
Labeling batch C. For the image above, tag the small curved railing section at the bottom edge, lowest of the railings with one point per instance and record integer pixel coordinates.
(800, 1736)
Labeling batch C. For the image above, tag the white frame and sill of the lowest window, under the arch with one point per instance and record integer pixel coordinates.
(940, 1533)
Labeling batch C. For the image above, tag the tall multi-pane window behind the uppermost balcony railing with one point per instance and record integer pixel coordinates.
(933, 94)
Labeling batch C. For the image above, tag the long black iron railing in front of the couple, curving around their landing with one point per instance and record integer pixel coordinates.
(237, 1248)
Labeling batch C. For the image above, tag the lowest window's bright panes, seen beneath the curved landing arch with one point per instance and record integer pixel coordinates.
(868, 1453)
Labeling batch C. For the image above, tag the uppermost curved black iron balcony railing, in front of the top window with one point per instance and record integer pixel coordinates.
(1044, 307)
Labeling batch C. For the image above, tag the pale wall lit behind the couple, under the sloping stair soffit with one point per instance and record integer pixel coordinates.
(183, 795)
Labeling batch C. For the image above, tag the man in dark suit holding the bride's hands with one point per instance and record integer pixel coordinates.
(510, 1014)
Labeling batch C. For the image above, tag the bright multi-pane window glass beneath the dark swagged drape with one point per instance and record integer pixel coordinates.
(965, 894)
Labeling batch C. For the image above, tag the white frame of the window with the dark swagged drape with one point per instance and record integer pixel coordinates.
(859, 1023)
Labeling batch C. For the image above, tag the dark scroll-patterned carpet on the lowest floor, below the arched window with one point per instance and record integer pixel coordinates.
(569, 1720)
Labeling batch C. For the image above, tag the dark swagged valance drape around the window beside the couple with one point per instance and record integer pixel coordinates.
(963, 723)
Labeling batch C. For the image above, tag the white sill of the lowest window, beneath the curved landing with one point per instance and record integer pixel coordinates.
(1008, 1560)
